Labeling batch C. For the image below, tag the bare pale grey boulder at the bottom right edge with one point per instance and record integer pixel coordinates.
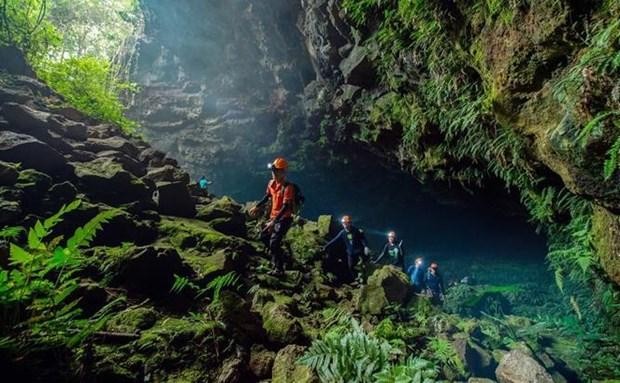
(518, 367)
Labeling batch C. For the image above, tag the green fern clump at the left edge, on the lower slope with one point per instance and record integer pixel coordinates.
(35, 289)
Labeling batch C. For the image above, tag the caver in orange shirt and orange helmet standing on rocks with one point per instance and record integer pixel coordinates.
(282, 196)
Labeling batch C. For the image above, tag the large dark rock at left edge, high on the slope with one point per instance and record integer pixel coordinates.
(30, 152)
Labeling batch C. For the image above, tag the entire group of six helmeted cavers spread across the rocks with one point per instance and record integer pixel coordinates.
(348, 249)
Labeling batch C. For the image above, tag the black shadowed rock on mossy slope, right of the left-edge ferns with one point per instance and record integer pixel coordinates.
(150, 271)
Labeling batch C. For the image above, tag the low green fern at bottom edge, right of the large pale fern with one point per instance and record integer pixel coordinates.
(414, 370)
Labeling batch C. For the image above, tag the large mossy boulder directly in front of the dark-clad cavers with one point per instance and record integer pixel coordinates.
(387, 285)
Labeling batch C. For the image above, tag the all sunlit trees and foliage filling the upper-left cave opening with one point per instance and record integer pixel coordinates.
(75, 46)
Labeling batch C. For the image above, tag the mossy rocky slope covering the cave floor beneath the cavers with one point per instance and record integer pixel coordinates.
(226, 320)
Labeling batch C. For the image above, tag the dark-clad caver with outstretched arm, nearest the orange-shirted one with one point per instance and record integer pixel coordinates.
(355, 244)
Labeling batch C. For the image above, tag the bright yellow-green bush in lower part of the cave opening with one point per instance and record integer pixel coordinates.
(88, 85)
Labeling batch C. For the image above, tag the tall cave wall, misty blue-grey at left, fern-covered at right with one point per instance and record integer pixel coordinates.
(227, 84)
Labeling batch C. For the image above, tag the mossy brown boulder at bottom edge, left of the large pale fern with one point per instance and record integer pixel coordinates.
(286, 369)
